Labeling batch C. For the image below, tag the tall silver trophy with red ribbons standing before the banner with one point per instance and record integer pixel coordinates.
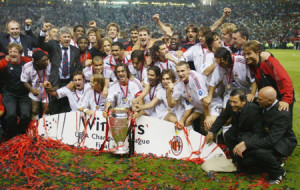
(119, 120)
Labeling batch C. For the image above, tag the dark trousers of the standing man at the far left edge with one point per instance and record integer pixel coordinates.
(16, 106)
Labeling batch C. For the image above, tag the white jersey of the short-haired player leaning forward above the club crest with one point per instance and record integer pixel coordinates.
(194, 91)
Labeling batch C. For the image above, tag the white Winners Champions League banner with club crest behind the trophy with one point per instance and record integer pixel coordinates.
(152, 135)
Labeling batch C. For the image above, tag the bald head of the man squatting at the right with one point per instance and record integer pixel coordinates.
(266, 96)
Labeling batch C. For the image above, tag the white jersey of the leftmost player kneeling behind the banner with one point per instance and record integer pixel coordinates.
(74, 97)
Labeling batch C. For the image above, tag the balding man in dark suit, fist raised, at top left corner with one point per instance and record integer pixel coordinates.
(14, 35)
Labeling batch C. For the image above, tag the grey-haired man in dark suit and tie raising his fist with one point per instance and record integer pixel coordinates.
(64, 60)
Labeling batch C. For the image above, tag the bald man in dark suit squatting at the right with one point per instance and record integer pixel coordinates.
(278, 141)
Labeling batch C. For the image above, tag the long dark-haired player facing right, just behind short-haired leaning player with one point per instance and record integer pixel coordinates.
(163, 59)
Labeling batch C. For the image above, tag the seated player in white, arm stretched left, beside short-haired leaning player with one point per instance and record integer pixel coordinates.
(177, 114)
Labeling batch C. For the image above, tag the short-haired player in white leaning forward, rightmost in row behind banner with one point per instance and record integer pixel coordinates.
(192, 88)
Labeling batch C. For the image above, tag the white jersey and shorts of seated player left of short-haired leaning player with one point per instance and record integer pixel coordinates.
(178, 109)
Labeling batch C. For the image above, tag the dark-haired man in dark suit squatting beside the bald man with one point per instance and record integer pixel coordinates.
(245, 120)
